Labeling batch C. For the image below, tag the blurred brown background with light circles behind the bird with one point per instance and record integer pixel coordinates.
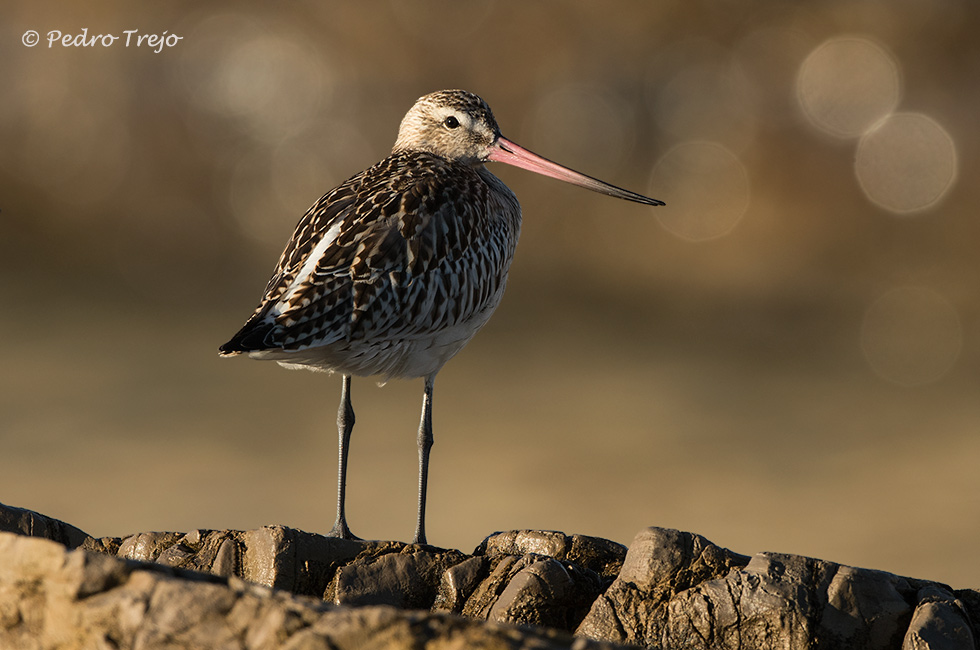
(783, 358)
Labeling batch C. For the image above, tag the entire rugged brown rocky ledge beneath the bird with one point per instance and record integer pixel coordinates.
(278, 587)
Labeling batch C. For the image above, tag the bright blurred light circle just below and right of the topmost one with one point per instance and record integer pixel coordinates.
(906, 163)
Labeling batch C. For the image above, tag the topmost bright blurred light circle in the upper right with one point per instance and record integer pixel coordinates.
(847, 84)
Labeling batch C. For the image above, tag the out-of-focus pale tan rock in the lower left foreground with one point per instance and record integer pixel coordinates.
(51, 597)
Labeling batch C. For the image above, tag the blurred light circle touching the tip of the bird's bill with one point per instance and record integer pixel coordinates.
(706, 188)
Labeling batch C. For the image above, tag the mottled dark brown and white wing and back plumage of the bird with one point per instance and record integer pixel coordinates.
(385, 254)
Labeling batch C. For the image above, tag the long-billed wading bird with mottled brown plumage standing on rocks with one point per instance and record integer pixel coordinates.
(391, 273)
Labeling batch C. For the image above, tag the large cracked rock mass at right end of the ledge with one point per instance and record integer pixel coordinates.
(677, 590)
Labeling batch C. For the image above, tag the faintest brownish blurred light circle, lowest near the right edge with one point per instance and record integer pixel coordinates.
(911, 336)
